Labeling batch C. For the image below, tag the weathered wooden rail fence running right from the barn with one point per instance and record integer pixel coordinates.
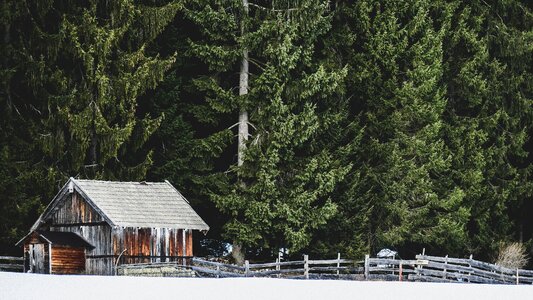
(423, 268)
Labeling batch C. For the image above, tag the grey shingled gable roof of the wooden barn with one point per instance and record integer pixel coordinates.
(133, 204)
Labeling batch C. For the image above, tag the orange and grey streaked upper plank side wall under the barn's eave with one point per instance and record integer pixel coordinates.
(144, 245)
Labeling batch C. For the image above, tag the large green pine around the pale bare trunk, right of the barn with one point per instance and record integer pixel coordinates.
(279, 196)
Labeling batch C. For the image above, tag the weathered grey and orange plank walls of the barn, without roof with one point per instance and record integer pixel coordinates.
(143, 245)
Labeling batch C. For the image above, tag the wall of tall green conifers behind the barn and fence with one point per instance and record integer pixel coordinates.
(368, 124)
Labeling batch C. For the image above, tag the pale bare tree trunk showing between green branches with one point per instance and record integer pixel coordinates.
(238, 252)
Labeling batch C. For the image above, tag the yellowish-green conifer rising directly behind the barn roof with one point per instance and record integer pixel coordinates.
(92, 128)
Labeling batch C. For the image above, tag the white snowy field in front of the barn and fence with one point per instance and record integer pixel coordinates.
(33, 286)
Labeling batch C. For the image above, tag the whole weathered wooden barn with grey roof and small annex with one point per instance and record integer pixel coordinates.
(92, 226)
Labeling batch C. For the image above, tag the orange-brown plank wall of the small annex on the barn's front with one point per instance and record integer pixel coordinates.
(68, 260)
